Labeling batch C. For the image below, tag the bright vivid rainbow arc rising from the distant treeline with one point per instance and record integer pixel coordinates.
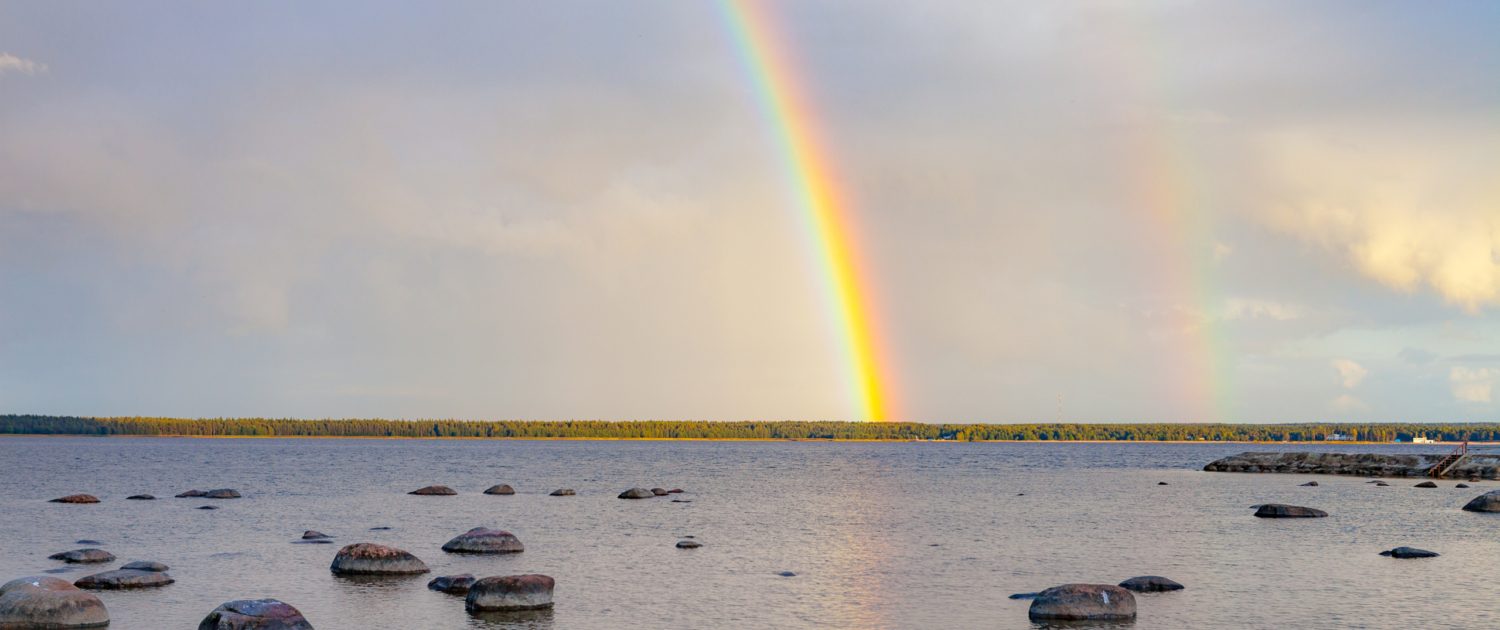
(826, 209)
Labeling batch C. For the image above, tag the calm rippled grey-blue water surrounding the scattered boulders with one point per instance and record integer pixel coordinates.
(881, 536)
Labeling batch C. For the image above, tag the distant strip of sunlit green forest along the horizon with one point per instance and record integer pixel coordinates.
(671, 430)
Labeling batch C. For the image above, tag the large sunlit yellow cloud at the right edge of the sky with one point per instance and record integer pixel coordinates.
(1411, 214)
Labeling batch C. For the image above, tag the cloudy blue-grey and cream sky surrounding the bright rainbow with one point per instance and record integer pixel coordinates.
(1081, 211)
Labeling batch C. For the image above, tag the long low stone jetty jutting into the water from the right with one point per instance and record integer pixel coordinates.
(1478, 466)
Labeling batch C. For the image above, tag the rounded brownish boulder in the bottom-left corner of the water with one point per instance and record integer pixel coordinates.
(44, 602)
